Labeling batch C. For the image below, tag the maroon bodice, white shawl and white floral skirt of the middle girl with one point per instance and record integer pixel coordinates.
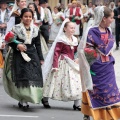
(65, 84)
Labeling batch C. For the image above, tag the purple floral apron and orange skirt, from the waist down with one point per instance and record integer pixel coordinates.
(103, 102)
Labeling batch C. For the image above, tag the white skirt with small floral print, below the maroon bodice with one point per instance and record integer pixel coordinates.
(64, 85)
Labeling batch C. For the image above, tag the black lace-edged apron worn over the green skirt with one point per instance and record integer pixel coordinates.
(26, 74)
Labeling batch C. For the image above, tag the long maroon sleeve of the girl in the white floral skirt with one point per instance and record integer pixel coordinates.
(57, 53)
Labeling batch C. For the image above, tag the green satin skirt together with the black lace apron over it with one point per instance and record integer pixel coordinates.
(23, 80)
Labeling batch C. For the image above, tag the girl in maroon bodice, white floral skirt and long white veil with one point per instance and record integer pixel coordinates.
(62, 79)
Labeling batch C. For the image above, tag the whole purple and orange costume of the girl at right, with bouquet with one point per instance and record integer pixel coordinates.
(103, 102)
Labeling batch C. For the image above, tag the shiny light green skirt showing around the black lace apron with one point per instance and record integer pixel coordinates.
(24, 94)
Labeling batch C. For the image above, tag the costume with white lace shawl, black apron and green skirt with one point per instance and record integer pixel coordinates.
(23, 80)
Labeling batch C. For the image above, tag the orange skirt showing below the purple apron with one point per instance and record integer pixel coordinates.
(107, 113)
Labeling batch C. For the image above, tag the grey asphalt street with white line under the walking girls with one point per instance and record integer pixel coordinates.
(60, 110)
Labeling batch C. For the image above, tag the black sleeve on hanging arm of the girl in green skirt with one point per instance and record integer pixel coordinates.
(38, 46)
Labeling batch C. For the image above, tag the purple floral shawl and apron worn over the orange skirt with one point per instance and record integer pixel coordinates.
(105, 91)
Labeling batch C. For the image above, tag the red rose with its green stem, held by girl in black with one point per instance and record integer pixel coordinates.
(10, 37)
